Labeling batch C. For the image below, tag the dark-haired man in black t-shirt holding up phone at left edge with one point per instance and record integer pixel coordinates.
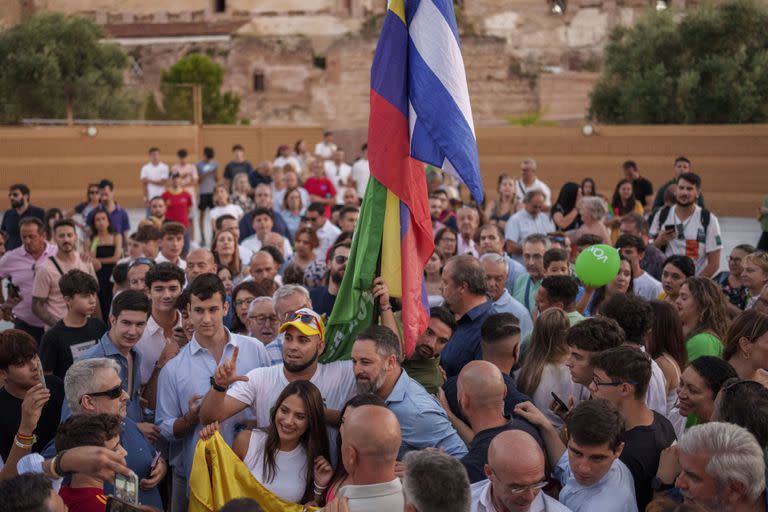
(19, 373)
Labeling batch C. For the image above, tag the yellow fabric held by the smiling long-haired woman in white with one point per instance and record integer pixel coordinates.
(218, 476)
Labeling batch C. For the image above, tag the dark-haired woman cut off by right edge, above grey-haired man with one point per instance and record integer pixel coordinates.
(746, 346)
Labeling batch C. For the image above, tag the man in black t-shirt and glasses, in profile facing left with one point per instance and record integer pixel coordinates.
(621, 375)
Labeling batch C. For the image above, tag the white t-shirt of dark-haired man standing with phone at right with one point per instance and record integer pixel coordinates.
(694, 243)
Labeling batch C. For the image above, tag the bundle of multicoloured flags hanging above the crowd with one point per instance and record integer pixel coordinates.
(420, 113)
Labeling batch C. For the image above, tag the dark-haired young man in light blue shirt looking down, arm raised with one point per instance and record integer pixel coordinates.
(589, 469)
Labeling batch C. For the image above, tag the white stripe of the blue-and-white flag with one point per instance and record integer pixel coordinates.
(435, 42)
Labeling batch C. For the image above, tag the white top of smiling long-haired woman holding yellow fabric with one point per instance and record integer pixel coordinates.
(290, 478)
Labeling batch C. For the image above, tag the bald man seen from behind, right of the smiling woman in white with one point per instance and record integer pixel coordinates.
(370, 440)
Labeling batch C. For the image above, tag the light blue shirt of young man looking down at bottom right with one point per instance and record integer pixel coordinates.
(614, 492)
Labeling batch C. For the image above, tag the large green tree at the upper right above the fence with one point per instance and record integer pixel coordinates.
(710, 67)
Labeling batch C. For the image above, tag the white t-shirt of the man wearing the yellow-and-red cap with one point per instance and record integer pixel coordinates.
(336, 382)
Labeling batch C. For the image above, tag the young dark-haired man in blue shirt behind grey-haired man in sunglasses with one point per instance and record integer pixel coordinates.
(130, 311)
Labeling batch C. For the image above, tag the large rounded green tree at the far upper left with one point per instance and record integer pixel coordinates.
(53, 65)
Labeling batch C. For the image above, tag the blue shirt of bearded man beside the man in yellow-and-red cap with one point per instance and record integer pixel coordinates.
(423, 422)
